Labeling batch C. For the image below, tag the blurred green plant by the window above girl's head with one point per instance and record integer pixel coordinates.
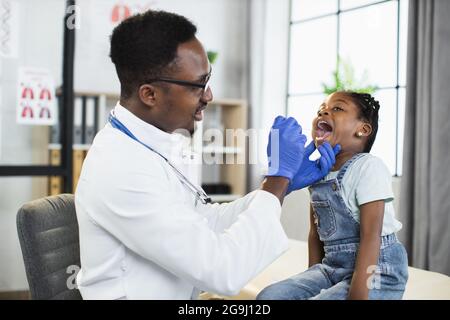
(344, 79)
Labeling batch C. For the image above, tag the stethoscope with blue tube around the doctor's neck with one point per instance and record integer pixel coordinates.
(198, 192)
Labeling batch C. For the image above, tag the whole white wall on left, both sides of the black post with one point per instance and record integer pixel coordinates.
(222, 26)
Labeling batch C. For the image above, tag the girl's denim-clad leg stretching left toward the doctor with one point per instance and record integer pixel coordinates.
(299, 287)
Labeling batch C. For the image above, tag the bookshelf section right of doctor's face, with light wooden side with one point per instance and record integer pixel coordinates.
(224, 149)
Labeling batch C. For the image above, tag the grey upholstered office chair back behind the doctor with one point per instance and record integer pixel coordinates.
(48, 235)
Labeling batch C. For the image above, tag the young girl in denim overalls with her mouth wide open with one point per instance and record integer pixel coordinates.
(353, 249)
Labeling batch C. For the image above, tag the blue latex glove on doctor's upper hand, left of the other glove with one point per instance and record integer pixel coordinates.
(286, 150)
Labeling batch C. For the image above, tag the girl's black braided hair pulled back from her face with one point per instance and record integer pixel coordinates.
(368, 111)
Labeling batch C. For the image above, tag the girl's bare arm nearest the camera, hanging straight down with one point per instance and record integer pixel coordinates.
(369, 248)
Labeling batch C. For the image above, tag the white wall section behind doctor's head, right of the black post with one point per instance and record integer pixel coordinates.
(221, 24)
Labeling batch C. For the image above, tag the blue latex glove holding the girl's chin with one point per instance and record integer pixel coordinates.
(312, 171)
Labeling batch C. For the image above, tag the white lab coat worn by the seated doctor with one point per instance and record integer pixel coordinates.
(142, 234)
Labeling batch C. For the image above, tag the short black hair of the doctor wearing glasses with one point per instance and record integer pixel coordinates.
(144, 45)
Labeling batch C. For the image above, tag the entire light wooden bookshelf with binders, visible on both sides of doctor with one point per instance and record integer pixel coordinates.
(223, 169)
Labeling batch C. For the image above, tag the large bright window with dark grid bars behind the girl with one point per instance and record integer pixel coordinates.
(371, 37)
